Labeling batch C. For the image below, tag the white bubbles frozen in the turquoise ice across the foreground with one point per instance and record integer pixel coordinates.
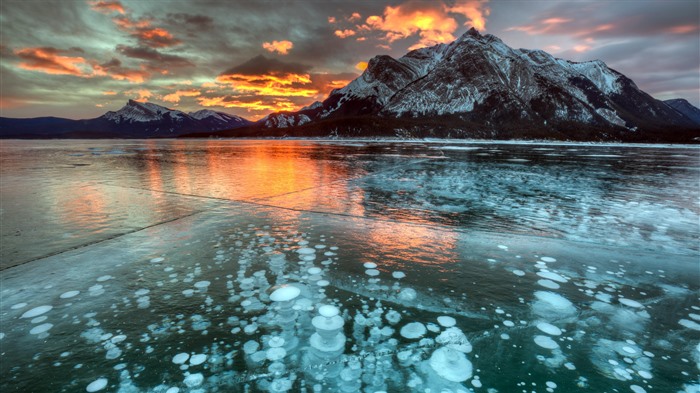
(289, 333)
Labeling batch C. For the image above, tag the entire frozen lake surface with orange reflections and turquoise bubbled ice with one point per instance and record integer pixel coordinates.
(204, 265)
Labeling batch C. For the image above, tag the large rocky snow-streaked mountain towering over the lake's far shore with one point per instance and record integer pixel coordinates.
(477, 85)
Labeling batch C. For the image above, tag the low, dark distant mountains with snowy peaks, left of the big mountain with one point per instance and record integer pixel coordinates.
(134, 120)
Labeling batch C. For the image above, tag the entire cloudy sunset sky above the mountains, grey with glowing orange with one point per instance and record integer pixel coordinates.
(78, 58)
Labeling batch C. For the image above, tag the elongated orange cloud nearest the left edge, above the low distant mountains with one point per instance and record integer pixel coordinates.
(51, 61)
